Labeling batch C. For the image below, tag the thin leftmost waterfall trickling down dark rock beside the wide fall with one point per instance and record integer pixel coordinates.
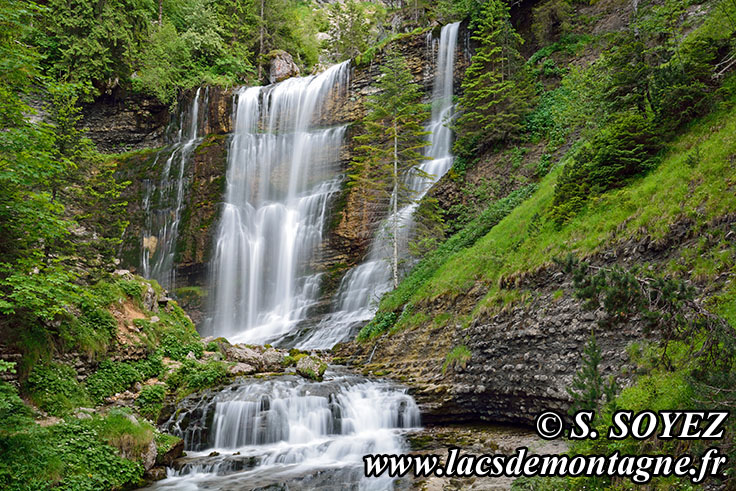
(163, 203)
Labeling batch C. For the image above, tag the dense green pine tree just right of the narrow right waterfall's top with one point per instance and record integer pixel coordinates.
(496, 87)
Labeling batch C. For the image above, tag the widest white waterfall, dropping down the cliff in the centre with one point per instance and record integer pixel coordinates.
(282, 171)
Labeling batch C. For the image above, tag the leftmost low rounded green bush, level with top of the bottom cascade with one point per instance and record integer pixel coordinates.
(54, 388)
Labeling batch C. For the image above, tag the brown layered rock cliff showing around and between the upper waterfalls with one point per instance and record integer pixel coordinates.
(353, 216)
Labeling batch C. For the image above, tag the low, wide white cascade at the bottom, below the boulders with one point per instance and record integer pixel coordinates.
(289, 433)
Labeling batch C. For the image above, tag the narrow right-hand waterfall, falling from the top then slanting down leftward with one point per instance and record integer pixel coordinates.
(363, 285)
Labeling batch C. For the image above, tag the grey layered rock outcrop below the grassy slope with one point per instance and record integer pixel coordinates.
(520, 356)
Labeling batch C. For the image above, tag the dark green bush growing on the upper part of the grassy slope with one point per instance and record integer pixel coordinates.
(623, 149)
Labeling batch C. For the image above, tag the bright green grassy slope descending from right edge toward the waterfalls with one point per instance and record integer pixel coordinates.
(648, 207)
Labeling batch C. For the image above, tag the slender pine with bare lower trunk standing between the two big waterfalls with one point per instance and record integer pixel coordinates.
(390, 149)
